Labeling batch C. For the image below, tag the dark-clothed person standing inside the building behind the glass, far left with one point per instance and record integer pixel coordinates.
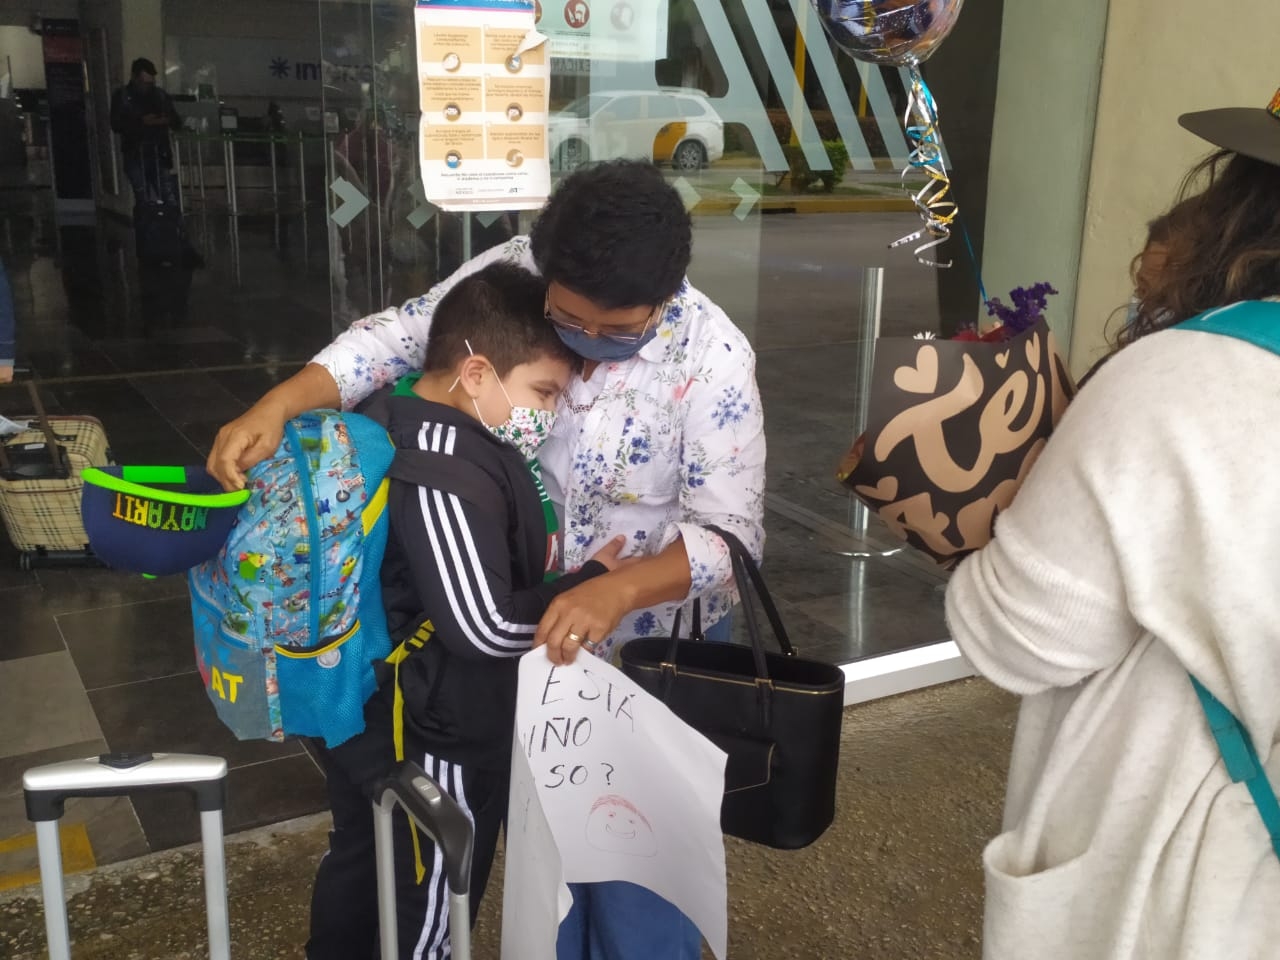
(144, 116)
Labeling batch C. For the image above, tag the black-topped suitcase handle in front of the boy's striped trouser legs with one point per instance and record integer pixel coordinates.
(441, 819)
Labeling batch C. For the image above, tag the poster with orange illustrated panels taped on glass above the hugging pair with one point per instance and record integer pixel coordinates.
(486, 83)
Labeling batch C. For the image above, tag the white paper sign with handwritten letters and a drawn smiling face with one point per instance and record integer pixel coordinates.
(607, 785)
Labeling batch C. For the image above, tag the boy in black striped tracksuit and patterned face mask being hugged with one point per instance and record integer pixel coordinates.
(469, 572)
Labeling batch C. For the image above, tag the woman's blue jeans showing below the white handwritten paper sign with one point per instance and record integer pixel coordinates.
(619, 921)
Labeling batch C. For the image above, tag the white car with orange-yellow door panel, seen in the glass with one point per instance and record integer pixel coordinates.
(673, 125)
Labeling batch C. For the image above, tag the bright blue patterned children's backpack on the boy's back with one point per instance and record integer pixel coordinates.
(289, 618)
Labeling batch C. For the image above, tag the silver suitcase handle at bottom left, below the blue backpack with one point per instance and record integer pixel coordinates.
(47, 790)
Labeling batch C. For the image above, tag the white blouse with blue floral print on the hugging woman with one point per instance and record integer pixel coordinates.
(653, 447)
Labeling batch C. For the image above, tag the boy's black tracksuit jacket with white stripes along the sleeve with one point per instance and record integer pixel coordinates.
(478, 578)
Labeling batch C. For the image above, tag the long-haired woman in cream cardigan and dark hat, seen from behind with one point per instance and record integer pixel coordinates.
(1142, 552)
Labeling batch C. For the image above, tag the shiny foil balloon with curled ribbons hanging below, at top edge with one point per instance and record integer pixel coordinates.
(899, 33)
